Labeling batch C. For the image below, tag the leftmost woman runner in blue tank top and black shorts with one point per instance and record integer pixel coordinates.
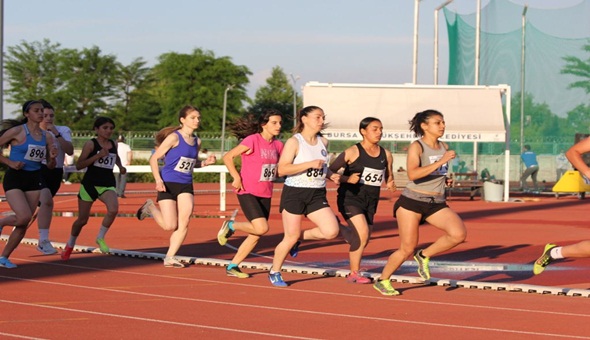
(29, 146)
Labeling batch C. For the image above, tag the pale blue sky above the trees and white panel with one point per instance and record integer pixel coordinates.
(337, 41)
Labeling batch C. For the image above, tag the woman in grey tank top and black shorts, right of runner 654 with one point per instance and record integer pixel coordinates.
(423, 200)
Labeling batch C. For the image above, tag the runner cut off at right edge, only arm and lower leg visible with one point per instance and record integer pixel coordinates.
(553, 252)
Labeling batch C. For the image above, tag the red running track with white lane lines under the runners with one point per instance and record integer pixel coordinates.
(105, 296)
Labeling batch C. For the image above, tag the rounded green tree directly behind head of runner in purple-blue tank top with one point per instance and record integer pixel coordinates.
(199, 79)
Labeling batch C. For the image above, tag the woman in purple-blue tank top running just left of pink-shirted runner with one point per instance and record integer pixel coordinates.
(179, 146)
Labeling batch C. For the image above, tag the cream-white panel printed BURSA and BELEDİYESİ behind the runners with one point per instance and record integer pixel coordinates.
(472, 113)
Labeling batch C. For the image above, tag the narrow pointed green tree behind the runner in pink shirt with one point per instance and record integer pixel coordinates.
(276, 94)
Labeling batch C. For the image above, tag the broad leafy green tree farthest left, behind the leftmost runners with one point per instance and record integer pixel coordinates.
(79, 83)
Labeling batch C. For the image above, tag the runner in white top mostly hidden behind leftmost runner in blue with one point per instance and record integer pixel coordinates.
(52, 177)
